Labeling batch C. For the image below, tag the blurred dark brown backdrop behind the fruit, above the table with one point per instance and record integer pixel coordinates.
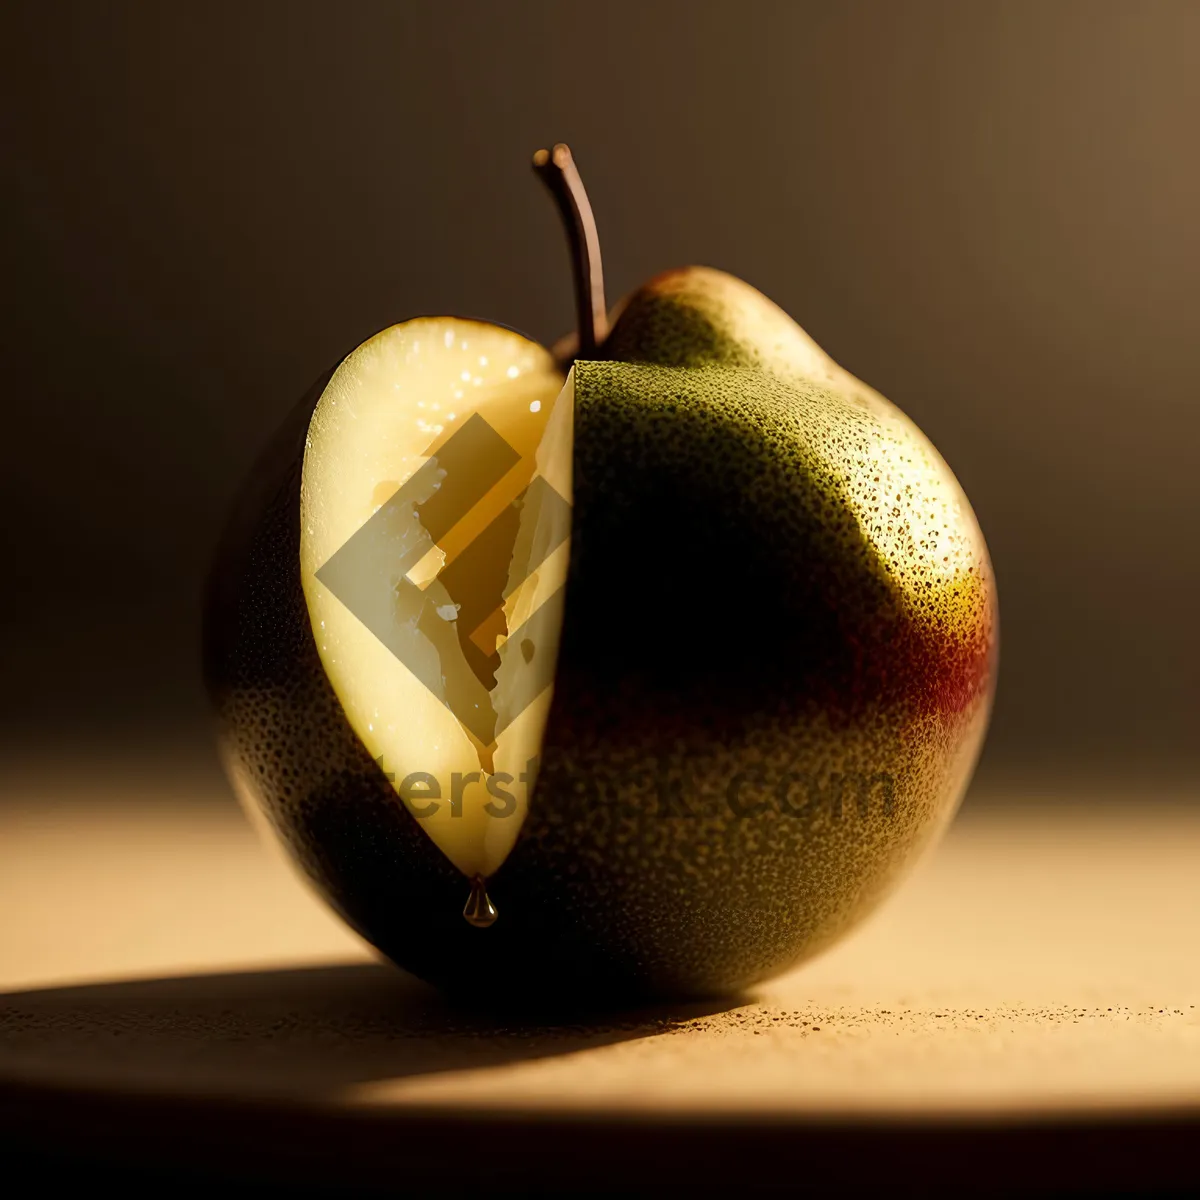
(986, 211)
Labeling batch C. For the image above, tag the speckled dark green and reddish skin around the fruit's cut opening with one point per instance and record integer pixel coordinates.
(761, 711)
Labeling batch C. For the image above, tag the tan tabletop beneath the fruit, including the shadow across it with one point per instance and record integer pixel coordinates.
(1043, 964)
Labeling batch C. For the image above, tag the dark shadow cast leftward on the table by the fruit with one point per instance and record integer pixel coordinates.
(305, 1034)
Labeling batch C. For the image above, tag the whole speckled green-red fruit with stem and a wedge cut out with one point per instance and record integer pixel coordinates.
(649, 681)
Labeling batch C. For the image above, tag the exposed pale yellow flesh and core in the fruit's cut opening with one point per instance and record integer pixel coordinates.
(435, 535)
